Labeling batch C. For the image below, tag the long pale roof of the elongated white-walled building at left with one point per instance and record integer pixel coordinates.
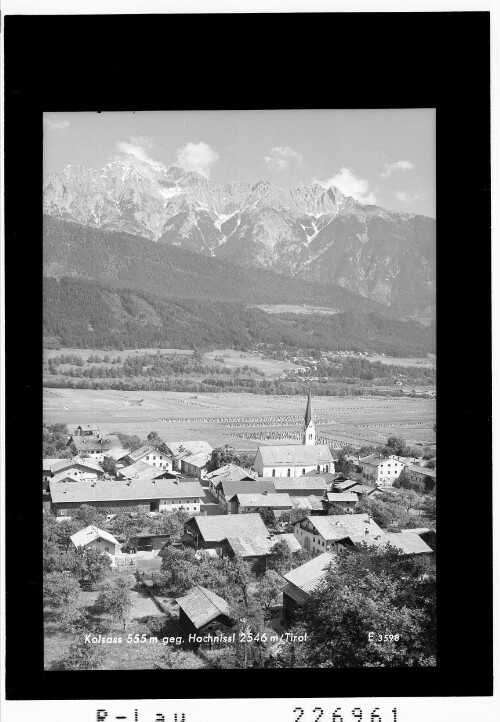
(122, 490)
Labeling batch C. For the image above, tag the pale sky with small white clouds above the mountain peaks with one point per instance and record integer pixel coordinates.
(382, 157)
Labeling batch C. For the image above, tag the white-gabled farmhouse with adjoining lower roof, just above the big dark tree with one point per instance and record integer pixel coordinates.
(327, 533)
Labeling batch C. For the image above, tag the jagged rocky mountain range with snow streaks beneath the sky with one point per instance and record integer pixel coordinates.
(308, 232)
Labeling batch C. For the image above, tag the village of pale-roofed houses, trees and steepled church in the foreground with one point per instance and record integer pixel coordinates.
(196, 534)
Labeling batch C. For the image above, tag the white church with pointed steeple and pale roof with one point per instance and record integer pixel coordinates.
(296, 459)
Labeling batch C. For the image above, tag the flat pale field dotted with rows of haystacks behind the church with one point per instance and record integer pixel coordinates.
(243, 420)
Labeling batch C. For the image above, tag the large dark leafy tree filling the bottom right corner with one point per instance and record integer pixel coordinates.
(370, 589)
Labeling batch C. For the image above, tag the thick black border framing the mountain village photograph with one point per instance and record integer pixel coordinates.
(319, 60)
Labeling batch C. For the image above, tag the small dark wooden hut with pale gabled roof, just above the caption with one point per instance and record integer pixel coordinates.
(201, 611)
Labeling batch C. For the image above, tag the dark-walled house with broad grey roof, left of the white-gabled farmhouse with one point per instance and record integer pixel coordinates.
(210, 532)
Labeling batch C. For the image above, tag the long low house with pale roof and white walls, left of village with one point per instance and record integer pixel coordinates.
(117, 495)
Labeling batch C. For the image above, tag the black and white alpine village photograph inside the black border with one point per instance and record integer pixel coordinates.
(239, 389)
